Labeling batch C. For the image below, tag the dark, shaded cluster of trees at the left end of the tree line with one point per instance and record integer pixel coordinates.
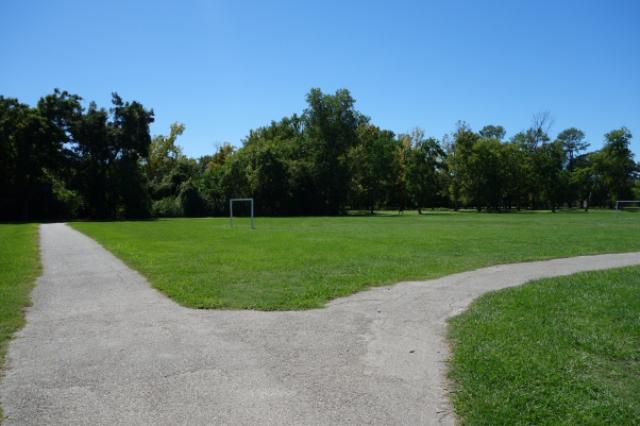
(59, 159)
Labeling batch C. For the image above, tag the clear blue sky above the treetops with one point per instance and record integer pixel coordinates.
(224, 67)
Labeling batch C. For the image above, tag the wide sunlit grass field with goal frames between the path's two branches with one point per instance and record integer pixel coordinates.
(297, 263)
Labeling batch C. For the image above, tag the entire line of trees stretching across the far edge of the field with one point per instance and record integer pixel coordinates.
(60, 159)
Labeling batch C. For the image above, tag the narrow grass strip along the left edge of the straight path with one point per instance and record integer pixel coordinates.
(19, 267)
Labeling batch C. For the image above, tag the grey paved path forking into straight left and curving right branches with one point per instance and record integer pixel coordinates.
(101, 347)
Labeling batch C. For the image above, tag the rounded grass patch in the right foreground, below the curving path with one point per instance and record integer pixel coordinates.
(556, 351)
